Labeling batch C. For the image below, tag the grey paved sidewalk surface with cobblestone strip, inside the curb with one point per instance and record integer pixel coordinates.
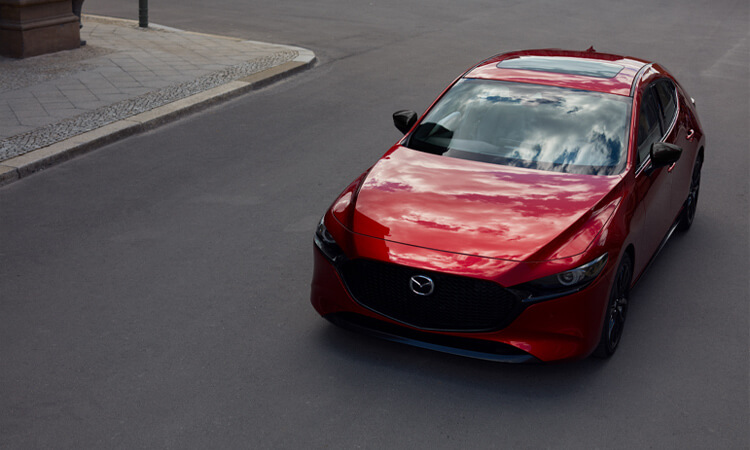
(123, 70)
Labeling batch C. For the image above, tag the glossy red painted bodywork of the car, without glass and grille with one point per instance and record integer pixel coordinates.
(511, 225)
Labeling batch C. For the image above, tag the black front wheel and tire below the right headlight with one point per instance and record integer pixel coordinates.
(617, 310)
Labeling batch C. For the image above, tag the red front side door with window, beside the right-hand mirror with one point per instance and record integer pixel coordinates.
(653, 185)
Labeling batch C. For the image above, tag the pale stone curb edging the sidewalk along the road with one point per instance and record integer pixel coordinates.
(24, 165)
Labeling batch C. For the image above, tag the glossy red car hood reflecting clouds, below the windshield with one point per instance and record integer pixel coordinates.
(481, 209)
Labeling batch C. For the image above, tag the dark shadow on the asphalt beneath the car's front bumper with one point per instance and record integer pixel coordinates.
(372, 361)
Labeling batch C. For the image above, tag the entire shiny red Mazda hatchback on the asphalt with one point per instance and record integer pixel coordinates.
(512, 220)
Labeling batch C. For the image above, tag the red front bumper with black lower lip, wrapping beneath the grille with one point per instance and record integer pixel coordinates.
(565, 328)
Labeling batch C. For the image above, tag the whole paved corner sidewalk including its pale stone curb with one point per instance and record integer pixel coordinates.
(125, 80)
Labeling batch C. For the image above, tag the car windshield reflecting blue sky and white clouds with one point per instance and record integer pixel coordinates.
(528, 125)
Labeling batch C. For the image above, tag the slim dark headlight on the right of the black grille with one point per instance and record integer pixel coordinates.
(563, 283)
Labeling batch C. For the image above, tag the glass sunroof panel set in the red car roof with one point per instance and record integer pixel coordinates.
(570, 66)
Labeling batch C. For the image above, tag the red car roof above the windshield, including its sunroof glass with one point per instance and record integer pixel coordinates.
(586, 70)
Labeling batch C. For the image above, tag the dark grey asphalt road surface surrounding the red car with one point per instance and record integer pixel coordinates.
(154, 293)
